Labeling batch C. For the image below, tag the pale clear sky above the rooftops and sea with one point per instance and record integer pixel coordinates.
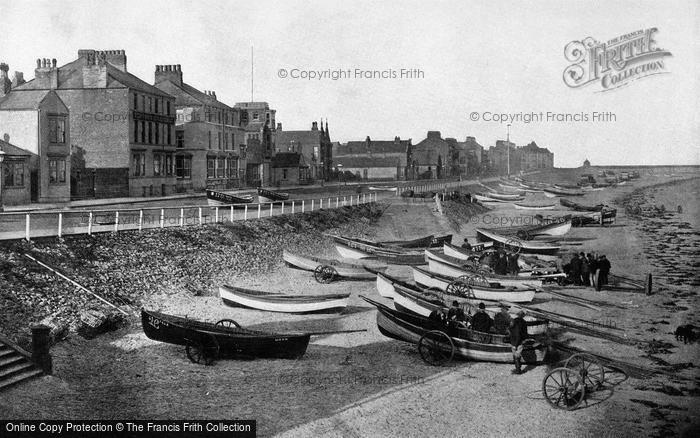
(470, 59)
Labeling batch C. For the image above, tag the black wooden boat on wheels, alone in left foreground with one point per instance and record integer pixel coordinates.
(225, 338)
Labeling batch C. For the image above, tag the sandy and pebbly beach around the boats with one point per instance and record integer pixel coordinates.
(360, 384)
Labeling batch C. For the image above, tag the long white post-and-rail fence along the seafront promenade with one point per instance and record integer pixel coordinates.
(57, 223)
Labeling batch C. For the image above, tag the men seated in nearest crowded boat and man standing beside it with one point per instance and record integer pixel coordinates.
(501, 323)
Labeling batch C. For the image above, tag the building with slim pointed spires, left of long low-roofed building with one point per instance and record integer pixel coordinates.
(315, 145)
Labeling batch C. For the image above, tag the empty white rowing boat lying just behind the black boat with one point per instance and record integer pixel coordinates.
(236, 296)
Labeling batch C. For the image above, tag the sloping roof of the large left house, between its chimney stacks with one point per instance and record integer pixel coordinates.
(71, 76)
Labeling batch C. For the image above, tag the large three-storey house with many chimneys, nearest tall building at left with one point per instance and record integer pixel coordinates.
(122, 128)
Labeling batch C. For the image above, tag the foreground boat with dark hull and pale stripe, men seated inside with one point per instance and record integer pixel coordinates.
(465, 343)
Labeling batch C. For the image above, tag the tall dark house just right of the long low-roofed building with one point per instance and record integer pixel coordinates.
(431, 158)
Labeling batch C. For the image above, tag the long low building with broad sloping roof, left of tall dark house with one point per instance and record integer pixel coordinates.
(374, 159)
